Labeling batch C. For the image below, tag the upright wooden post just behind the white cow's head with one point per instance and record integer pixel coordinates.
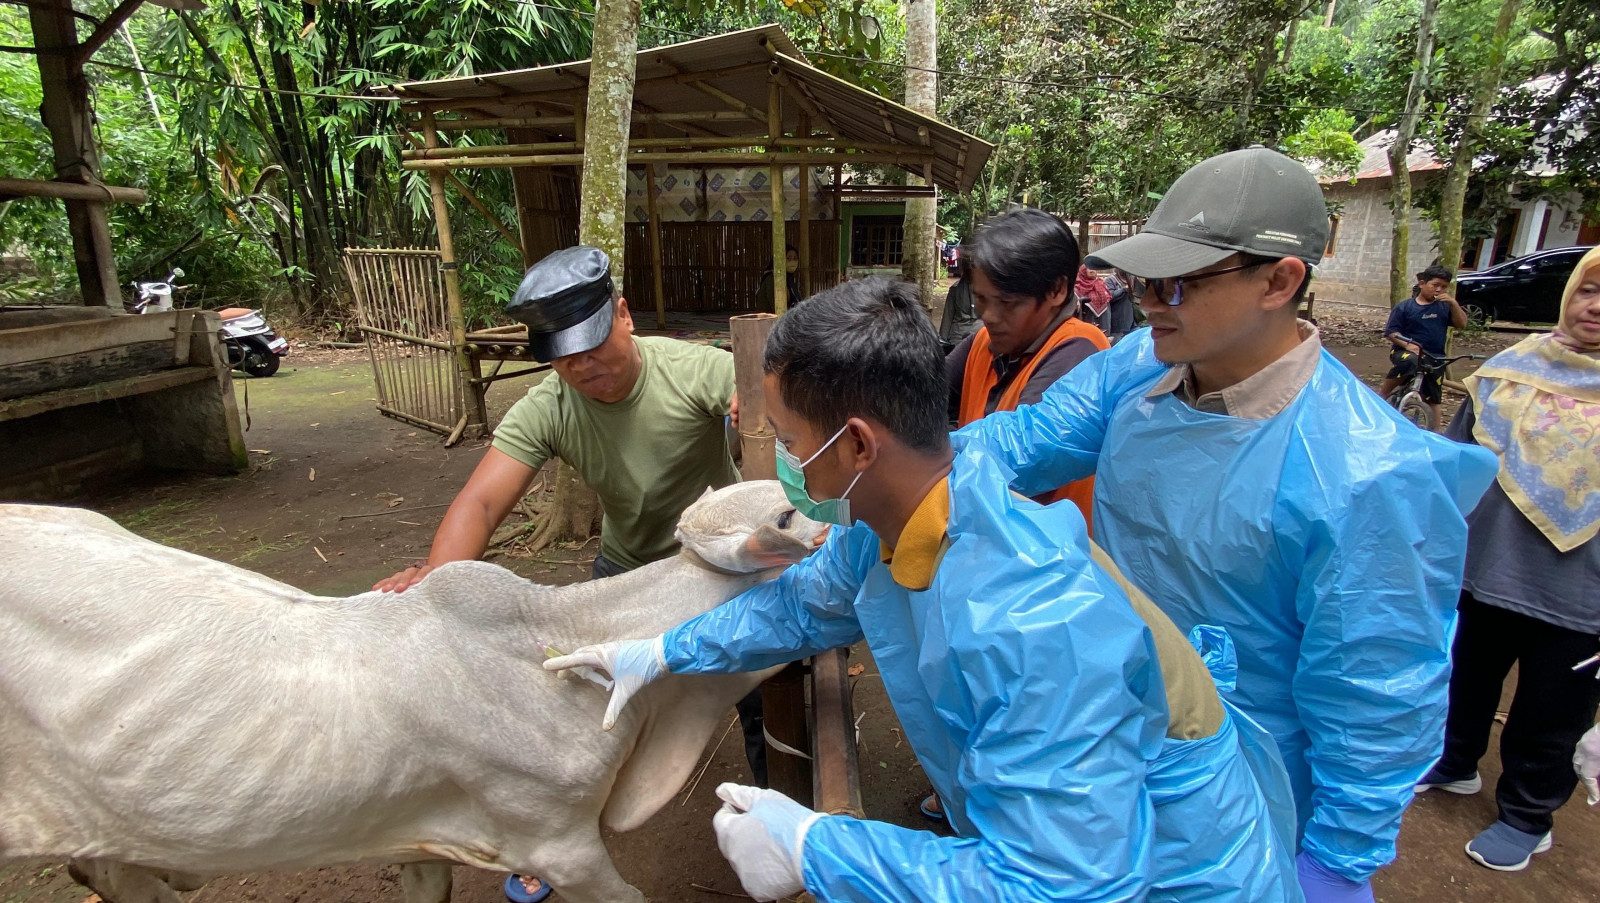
(783, 696)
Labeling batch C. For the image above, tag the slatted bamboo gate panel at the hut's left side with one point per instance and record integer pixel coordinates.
(402, 311)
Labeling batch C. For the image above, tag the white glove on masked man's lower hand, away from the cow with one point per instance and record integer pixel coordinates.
(762, 835)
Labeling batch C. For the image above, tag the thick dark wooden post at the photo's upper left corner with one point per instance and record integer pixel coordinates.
(66, 114)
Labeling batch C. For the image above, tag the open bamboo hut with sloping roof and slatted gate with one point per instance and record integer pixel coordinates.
(738, 150)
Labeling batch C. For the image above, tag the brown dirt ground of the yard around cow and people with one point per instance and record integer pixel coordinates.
(340, 497)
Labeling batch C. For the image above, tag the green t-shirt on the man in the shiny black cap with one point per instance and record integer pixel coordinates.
(649, 456)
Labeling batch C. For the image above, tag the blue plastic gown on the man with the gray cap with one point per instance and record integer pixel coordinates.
(1329, 542)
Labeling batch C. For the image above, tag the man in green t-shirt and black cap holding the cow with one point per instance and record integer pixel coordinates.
(639, 419)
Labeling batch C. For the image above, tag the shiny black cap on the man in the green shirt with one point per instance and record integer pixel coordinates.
(566, 300)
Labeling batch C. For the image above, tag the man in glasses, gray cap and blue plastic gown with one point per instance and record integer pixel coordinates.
(1247, 480)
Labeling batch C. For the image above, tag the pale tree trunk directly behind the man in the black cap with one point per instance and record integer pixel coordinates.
(572, 510)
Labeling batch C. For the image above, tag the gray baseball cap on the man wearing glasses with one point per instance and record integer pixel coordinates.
(1254, 201)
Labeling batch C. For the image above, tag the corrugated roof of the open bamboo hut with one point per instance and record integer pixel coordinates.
(727, 73)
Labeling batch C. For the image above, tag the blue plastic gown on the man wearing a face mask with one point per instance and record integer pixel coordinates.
(1033, 697)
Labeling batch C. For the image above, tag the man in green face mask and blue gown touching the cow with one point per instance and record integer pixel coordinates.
(1074, 734)
